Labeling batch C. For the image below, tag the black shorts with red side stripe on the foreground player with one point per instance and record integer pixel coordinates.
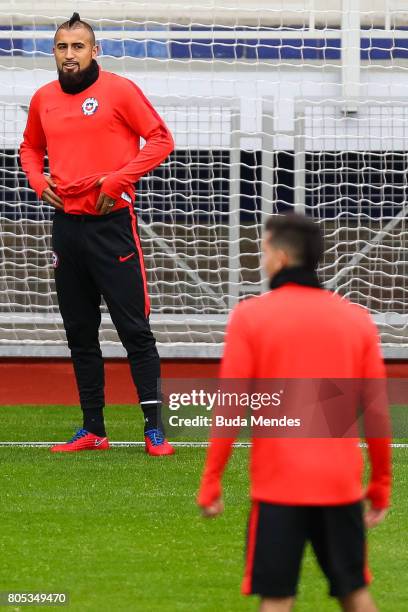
(276, 539)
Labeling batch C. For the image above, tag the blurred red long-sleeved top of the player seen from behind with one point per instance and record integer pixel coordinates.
(302, 332)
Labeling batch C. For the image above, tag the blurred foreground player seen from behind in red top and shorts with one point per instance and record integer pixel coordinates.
(305, 489)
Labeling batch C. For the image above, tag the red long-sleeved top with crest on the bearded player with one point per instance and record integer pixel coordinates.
(92, 134)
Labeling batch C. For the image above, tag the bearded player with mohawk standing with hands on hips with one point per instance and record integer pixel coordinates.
(89, 122)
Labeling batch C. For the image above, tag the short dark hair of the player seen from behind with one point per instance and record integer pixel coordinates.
(300, 235)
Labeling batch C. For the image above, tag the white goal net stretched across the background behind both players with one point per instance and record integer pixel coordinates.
(274, 106)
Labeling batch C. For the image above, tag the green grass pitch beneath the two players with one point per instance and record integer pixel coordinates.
(120, 531)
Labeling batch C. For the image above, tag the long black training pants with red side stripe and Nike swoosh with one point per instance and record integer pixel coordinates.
(98, 256)
